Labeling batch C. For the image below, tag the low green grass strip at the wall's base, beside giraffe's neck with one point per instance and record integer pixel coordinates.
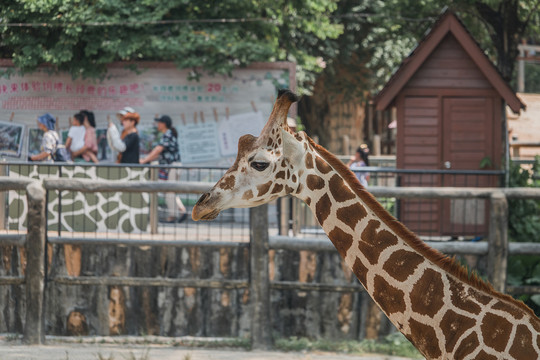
(394, 344)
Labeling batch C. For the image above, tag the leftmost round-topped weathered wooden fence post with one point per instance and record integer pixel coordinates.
(35, 269)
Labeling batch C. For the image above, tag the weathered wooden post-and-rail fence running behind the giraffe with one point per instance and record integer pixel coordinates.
(496, 248)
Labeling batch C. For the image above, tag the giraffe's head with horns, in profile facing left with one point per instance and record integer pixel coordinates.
(266, 167)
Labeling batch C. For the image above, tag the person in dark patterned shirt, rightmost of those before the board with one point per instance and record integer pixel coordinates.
(168, 153)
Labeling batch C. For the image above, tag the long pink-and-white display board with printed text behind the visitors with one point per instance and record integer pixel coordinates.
(210, 114)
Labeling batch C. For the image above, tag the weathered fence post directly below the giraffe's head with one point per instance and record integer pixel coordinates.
(259, 279)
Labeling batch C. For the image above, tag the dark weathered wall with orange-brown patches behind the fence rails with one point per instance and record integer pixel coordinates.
(169, 311)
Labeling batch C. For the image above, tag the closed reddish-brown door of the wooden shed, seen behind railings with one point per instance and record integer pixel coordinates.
(468, 138)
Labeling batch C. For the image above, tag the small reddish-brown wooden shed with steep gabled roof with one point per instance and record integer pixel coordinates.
(449, 101)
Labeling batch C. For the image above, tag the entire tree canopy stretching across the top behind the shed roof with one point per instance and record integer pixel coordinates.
(352, 42)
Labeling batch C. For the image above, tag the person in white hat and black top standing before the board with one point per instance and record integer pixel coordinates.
(127, 143)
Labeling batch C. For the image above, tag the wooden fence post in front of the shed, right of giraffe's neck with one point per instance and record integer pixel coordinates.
(498, 241)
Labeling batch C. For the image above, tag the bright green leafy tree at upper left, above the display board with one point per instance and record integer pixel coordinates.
(82, 37)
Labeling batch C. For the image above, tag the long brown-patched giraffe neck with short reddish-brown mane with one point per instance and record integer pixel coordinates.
(445, 313)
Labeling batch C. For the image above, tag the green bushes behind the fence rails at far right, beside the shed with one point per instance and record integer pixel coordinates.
(524, 226)
